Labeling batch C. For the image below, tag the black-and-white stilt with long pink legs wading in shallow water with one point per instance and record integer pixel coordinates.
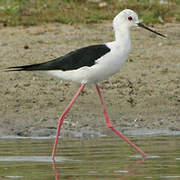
(92, 64)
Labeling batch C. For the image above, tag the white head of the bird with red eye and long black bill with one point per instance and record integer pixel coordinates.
(128, 18)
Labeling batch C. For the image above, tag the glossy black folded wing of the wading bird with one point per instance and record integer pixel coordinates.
(76, 59)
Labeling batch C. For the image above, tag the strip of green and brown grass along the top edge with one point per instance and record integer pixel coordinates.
(32, 12)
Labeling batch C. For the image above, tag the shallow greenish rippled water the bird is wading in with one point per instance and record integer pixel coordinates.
(105, 158)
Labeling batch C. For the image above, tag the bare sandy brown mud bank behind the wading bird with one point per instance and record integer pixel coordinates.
(144, 95)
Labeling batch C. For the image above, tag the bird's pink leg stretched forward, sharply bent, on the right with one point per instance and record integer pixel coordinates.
(110, 126)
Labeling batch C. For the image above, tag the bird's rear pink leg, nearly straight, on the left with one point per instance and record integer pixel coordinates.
(62, 118)
